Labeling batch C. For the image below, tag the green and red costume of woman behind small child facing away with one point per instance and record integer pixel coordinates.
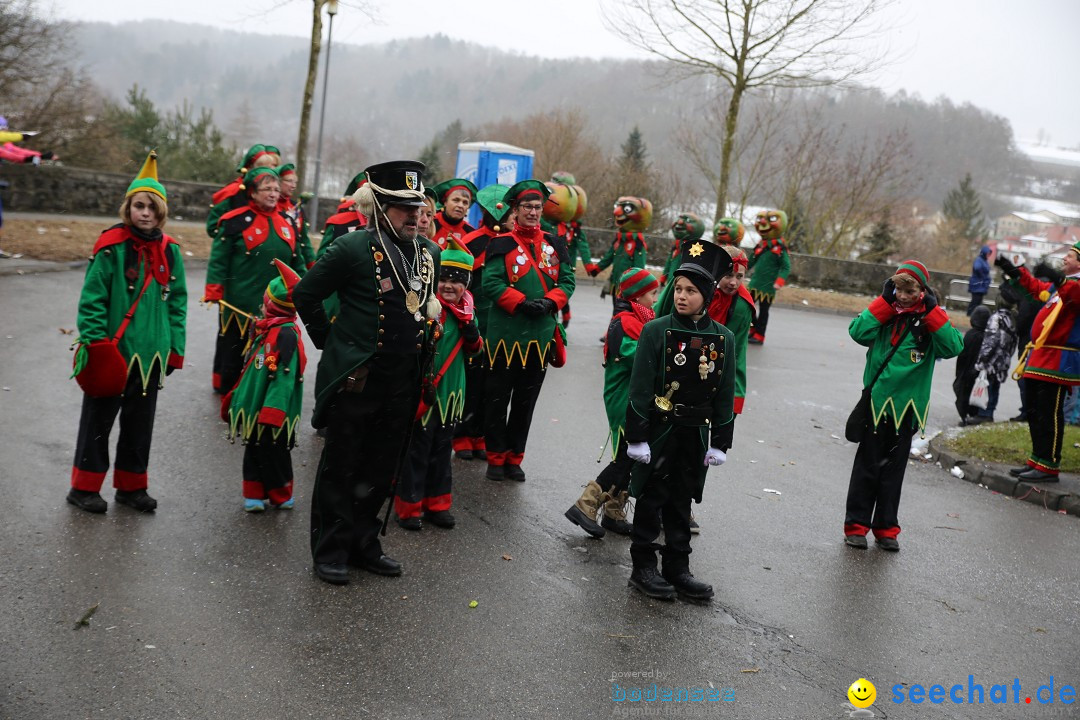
(241, 265)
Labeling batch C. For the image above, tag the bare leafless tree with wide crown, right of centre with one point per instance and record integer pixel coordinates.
(753, 44)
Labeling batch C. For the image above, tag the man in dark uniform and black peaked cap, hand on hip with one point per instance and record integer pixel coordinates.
(374, 358)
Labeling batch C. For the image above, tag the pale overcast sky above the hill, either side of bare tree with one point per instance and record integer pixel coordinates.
(1019, 59)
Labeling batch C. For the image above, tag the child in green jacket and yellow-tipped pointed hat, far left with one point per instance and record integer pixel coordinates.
(136, 271)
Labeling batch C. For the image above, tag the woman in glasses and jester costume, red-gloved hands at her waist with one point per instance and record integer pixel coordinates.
(529, 278)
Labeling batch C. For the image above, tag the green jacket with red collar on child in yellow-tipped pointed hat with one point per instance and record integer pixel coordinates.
(157, 332)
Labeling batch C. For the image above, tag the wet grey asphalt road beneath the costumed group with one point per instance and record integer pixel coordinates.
(207, 613)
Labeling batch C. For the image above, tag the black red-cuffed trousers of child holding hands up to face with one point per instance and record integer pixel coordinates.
(877, 478)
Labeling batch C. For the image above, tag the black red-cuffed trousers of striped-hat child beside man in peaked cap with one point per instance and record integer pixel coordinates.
(426, 483)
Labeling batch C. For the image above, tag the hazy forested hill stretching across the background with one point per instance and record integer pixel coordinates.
(393, 100)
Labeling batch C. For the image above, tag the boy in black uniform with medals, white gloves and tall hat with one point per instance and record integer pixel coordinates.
(682, 398)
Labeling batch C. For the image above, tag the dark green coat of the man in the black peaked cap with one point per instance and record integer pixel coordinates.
(348, 269)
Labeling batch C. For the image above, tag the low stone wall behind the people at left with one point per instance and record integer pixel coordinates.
(79, 192)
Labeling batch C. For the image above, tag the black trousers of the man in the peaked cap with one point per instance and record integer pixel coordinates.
(366, 438)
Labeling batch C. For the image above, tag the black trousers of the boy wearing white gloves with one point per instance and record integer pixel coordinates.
(665, 504)
